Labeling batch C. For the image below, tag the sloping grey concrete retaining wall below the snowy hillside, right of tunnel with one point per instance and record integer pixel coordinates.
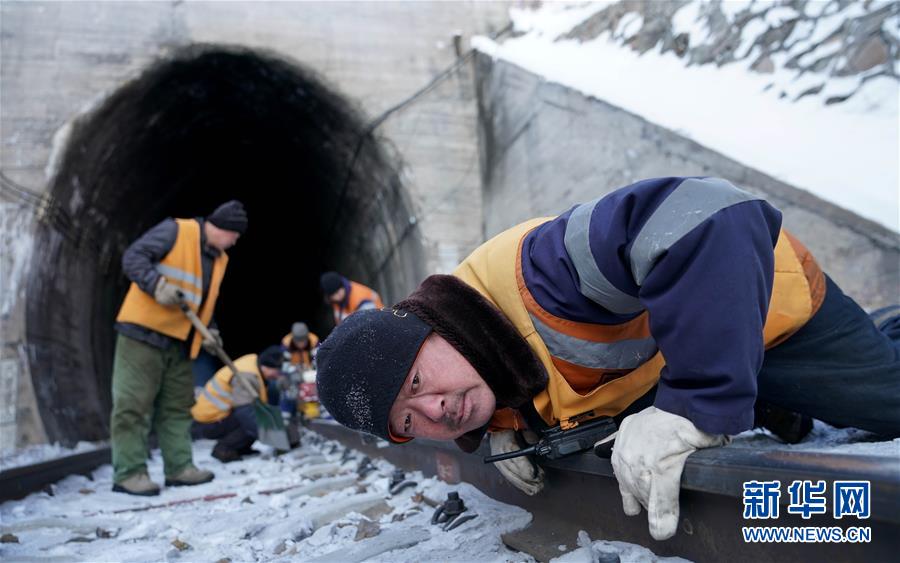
(545, 148)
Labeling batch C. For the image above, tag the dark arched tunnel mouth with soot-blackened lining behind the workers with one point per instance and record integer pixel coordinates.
(206, 125)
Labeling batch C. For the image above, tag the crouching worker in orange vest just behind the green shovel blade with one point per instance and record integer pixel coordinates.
(224, 410)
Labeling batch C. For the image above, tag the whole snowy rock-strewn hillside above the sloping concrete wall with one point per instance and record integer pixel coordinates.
(805, 91)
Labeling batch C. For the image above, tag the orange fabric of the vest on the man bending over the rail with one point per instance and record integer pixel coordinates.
(495, 270)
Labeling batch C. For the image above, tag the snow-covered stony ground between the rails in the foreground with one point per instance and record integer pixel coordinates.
(308, 505)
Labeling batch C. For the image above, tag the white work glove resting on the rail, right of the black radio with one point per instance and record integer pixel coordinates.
(648, 458)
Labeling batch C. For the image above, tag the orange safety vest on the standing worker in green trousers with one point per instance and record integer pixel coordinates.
(183, 267)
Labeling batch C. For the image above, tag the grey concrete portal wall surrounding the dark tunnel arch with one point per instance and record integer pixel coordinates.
(64, 59)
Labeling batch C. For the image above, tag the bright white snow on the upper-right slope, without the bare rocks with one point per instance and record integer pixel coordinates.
(847, 153)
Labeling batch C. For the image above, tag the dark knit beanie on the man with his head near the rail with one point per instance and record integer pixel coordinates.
(362, 366)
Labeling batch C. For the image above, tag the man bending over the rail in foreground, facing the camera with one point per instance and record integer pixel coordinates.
(674, 305)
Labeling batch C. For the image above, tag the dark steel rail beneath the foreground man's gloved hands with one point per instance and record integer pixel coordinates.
(582, 494)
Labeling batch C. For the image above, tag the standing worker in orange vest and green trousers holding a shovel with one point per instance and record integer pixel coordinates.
(152, 383)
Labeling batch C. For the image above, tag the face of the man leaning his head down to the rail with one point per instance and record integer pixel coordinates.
(443, 396)
